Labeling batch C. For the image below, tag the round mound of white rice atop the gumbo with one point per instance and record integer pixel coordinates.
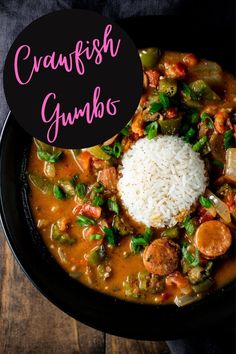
(160, 180)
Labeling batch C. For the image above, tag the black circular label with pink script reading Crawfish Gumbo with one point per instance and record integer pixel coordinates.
(73, 78)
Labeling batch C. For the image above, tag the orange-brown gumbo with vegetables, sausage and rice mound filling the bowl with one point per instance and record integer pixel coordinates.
(149, 215)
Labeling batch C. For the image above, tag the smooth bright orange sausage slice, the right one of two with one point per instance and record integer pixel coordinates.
(213, 239)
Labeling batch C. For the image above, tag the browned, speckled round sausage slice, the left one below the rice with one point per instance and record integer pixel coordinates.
(161, 256)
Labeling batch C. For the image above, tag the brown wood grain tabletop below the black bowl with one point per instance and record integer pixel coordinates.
(30, 324)
